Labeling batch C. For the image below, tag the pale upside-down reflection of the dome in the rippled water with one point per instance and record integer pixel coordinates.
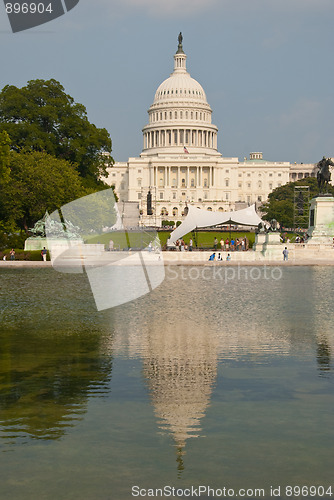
(180, 367)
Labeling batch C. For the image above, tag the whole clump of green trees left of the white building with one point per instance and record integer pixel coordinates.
(50, 155)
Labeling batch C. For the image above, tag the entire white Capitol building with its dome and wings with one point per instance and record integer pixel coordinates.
(180, 163)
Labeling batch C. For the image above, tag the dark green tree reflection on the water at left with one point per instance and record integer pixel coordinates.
(45, 382)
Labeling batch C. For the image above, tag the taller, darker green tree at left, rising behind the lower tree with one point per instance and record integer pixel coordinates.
(42, 117)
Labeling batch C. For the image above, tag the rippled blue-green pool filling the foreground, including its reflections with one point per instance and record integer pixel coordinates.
(205, 381)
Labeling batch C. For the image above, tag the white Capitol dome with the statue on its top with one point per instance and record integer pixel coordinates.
(180, 116)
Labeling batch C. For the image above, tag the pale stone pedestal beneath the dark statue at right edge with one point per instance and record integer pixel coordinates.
(321, 224)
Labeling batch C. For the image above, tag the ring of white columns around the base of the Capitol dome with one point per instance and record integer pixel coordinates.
(180, 137)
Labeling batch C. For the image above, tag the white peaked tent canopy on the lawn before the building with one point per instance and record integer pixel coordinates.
(204, 218)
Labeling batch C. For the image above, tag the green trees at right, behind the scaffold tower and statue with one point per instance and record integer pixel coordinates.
(280, 205)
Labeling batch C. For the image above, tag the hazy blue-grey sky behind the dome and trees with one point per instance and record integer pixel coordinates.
(266, 67)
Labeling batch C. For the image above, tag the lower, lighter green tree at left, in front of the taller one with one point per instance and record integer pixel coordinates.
(38, 182)
